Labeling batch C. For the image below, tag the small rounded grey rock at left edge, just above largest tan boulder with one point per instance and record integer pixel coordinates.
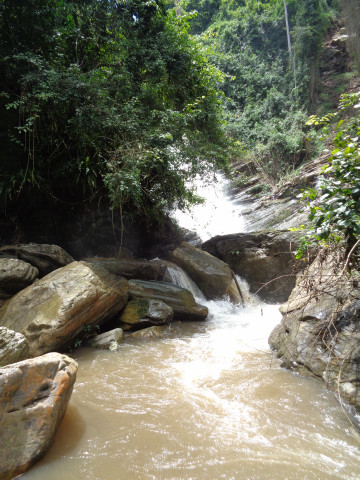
(16, 274)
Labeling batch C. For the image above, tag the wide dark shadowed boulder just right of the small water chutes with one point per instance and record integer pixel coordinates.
(265, 260)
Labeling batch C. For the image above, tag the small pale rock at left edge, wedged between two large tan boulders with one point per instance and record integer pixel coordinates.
(13, 347)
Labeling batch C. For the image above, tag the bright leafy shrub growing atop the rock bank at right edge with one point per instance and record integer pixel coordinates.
(334, 206)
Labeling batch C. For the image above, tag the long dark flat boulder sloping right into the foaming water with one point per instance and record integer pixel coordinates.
(179, 299)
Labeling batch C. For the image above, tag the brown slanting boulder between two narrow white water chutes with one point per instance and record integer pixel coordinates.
(211, 274)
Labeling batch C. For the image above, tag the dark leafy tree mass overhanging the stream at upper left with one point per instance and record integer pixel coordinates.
(104, 95)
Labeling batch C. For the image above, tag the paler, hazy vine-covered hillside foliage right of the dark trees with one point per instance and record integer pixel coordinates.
(266, 90)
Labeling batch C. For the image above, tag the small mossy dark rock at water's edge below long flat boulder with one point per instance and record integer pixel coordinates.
(143, 311)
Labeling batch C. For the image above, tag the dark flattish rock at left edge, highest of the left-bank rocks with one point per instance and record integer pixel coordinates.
(44, 257)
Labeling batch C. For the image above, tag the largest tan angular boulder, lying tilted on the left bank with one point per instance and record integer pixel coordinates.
(54, 310)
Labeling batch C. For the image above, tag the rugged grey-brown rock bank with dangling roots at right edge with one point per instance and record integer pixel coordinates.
(320, 330)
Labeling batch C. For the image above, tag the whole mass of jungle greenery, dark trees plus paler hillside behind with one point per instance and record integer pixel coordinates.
(126, 100)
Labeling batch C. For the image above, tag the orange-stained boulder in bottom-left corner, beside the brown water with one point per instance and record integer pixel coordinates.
(34, 396)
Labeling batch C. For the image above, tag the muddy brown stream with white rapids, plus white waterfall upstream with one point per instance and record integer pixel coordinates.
(206, 401)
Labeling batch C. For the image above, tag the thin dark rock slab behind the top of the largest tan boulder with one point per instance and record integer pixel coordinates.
(132, 268)
